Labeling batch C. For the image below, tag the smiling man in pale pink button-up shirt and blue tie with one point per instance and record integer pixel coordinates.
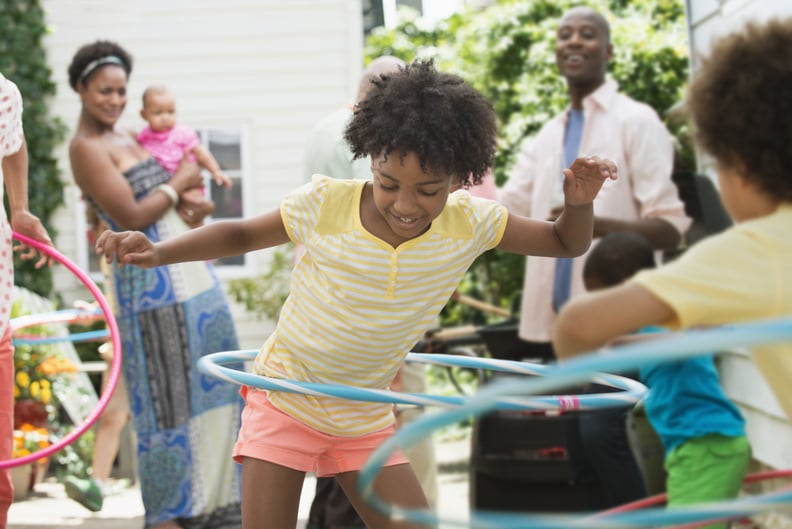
(599, 121)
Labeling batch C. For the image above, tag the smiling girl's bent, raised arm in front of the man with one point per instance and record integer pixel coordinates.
(570, 234)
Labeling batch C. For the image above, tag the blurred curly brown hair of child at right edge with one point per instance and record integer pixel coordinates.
(741, 107)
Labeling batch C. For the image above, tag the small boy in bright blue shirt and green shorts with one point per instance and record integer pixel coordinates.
(703, 432)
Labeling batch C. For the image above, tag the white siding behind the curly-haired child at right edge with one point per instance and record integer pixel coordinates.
(769, 430)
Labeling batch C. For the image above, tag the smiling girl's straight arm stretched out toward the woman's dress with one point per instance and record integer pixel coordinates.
(214, 241)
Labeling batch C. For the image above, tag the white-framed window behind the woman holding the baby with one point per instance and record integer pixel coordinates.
(229, 147)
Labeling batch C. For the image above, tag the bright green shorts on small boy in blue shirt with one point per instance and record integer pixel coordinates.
(707, 469)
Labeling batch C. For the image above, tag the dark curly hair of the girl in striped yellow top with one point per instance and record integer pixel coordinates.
(446, 122)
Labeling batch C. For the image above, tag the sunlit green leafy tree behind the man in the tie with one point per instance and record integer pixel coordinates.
(507, 52)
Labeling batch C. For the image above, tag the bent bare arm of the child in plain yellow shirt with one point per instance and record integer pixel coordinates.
(594, 319)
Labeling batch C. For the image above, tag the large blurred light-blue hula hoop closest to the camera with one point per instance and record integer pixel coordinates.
(674, 346)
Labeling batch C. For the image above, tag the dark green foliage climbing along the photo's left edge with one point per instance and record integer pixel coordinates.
(23, 60)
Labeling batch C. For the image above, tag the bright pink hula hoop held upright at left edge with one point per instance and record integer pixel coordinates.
(115, 367)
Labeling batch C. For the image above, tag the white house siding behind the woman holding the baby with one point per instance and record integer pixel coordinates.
(273, 67)
